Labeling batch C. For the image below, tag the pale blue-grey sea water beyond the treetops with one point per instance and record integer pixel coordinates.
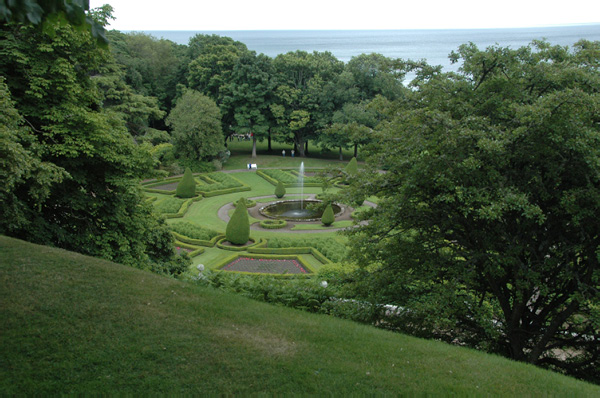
(434, 46)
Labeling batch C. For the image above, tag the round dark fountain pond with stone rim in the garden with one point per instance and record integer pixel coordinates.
(298, 210)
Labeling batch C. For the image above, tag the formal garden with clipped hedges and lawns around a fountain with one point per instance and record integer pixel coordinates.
(291, 231)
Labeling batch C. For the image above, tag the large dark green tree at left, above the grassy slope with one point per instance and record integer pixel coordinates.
(81, 157)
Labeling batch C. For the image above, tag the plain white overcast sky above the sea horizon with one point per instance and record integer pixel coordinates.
(346, 14)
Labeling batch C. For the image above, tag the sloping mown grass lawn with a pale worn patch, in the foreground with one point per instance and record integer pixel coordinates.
(75, 324)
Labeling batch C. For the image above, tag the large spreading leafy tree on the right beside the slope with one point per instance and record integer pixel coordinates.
(489, 209)
